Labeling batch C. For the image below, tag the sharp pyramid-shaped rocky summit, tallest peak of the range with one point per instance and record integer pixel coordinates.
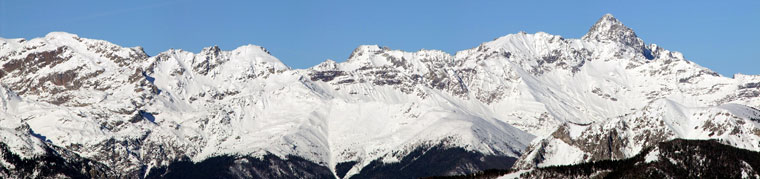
(608, 28)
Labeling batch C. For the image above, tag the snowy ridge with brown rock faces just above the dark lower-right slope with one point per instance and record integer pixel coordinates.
(626, 136)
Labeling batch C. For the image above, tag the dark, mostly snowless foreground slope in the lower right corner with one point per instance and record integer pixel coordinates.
(679, 158)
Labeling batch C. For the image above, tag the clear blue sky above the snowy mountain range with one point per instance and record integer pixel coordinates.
(721, 35)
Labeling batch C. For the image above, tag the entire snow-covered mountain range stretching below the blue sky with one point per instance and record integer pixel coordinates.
(529, 99)
